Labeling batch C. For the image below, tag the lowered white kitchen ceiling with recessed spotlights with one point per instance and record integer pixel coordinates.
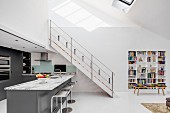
(9, 41)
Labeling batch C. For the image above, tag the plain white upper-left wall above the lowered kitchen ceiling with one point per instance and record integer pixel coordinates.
(27, 17)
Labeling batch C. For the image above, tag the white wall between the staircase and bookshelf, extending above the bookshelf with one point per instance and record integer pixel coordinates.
(111, 45)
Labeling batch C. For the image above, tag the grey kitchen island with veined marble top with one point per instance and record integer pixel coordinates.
(34, 96)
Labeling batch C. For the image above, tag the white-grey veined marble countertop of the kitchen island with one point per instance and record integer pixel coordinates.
(41, 84)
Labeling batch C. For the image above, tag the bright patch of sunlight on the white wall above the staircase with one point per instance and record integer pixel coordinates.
(79, 16)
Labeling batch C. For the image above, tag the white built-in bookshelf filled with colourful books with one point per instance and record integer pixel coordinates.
(146, 67)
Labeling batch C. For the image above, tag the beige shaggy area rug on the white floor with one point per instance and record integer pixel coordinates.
(156, 107)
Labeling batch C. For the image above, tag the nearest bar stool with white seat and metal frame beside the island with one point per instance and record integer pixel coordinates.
(62, 94)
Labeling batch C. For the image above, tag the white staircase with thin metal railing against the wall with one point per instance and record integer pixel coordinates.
(81, 58)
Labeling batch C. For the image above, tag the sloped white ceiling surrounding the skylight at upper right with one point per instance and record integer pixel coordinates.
(153, 15)
